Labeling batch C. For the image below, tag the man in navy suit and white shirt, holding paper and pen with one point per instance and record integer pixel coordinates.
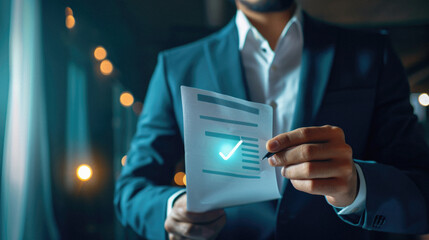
(354, 162)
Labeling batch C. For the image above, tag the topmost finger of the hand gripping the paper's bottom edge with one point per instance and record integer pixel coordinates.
(182, 215)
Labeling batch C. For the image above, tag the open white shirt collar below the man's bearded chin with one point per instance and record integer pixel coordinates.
(244, 26)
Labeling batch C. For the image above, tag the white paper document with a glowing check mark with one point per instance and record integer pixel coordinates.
(225, 141)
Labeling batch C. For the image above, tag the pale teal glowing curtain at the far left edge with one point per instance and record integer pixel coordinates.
(26, 199)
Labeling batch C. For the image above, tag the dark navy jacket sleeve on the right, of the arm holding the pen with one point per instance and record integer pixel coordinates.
(398, 179)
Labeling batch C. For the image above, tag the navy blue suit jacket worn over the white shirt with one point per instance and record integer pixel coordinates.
(349, 79)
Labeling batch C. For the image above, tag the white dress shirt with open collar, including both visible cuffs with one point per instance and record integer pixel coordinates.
(273, 78)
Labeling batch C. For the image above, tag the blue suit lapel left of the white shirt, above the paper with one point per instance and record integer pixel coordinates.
(224, 62)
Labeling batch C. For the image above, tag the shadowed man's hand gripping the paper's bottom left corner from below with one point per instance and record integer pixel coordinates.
(181, 224)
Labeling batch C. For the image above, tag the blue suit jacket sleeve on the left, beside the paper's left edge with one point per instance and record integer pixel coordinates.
(142, 190)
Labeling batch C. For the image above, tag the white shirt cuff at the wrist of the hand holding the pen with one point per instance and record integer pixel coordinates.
(358, 205)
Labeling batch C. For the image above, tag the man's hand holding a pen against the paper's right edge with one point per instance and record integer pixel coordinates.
(318, 161)
